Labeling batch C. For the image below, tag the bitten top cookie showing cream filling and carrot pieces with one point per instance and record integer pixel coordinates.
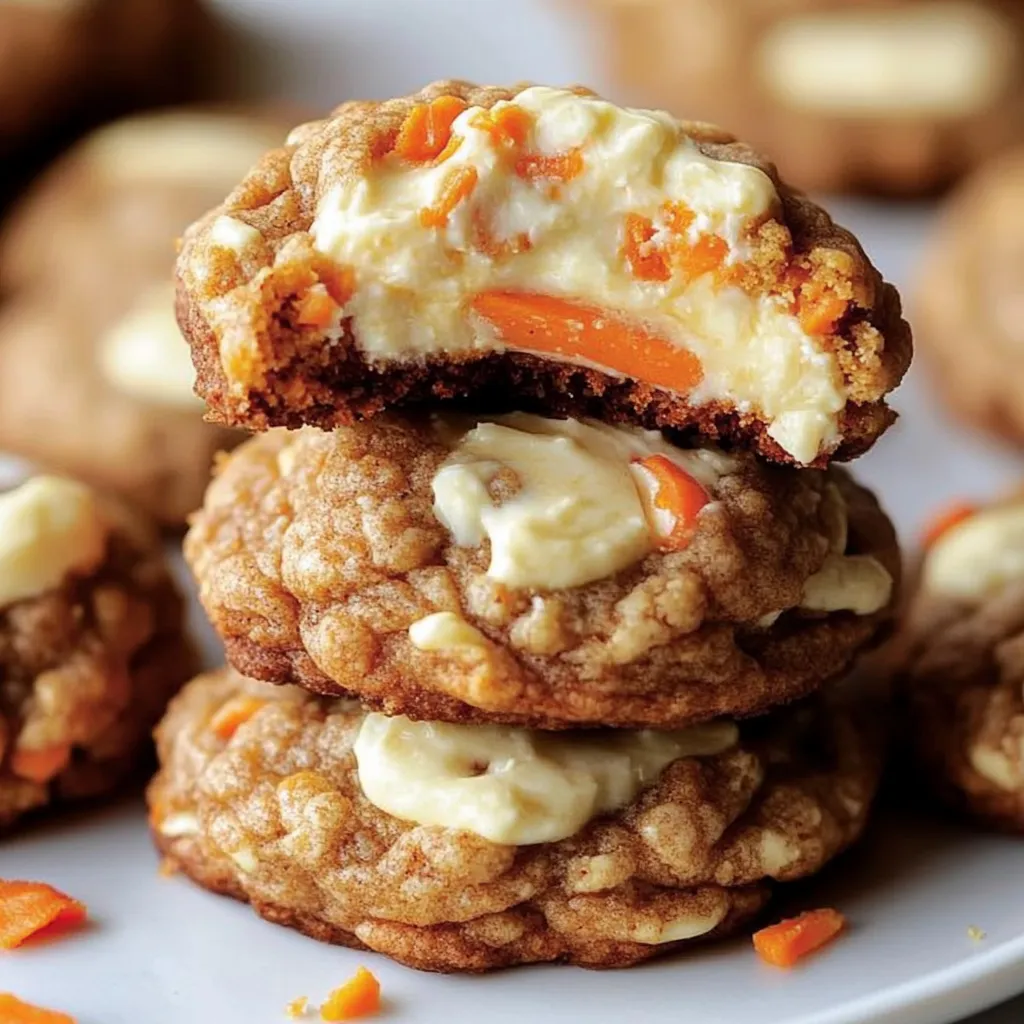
(480, 244)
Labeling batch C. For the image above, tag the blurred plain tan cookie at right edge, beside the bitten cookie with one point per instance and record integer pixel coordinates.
(969, 304)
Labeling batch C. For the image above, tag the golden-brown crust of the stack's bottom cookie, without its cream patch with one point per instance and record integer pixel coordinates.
(276, 817)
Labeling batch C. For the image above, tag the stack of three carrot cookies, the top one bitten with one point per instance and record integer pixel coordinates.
(564, 587)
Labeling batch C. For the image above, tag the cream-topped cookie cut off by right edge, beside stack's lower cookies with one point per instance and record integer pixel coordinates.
(962, 664)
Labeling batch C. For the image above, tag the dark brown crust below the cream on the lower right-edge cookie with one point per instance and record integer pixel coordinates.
(961, 673)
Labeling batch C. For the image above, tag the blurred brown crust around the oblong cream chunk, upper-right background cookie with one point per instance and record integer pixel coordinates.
(694, 58)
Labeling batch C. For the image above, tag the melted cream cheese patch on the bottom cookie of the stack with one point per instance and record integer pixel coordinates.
(517, 787)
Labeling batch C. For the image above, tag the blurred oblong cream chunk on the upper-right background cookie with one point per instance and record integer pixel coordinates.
(934, 60)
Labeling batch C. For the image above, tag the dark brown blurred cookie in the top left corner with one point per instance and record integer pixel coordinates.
(68, 64)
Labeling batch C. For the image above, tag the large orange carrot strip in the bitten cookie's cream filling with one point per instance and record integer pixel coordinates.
(560, 327)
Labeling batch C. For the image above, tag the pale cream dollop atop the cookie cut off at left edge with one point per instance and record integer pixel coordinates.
(50, 529)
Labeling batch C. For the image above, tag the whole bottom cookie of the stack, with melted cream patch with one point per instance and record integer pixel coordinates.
(273, 796)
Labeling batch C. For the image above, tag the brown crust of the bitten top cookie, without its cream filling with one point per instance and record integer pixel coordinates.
(296, 377)
